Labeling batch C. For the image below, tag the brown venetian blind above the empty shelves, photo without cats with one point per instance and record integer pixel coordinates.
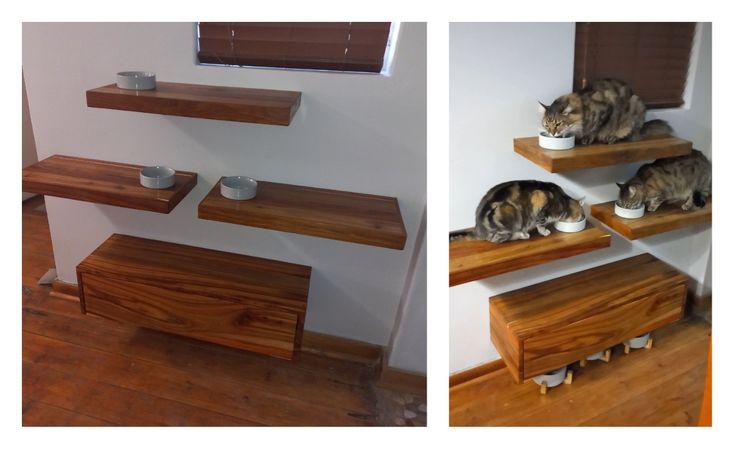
(342, 46)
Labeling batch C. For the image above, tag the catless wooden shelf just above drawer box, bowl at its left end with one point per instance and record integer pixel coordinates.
(344, 216)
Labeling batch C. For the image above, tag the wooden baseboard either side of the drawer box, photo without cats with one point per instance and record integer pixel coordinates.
(314, 343)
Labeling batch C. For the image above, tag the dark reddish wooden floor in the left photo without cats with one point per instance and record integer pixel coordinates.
(82, 370)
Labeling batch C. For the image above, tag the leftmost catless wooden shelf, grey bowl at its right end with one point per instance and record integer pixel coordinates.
(104, 182)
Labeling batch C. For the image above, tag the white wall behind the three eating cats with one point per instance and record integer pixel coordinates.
(498, 72)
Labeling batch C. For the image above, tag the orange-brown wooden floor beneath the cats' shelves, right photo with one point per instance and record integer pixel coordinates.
(658, 387)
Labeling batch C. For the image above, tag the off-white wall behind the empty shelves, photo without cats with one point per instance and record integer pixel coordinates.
(362, 133)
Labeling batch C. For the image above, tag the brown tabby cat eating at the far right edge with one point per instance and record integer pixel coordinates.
(669, 180)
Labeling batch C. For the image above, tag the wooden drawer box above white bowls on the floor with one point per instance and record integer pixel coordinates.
(542, 327)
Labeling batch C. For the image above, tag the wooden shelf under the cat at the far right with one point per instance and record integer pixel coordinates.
(666, 218)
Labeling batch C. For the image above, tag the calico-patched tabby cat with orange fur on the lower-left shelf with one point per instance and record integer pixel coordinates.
(510, 210)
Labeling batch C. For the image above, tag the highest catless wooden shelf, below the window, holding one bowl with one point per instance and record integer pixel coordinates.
(205, 102)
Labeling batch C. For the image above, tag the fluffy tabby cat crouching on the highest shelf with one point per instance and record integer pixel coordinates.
(607, 111)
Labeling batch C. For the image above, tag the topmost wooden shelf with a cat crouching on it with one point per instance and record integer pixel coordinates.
(599, 155)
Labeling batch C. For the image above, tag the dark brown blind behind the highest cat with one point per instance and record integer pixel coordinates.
(652, 57)
